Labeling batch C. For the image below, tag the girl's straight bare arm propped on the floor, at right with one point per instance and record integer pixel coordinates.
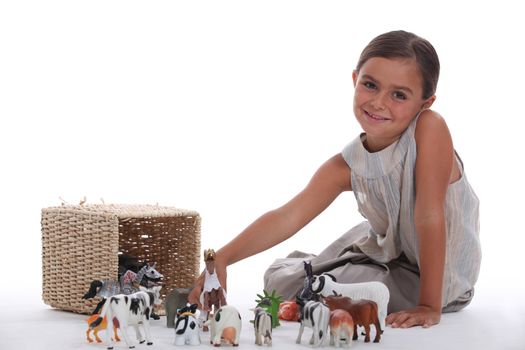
(435, 155)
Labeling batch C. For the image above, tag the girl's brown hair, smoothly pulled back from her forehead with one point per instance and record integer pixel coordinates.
(401, 44)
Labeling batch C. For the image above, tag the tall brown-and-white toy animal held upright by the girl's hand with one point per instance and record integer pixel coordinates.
(213, 295)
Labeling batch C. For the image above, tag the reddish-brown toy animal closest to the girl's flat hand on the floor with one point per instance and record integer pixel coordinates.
(364, 313)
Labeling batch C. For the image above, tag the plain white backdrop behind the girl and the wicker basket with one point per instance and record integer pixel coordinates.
(228, 108)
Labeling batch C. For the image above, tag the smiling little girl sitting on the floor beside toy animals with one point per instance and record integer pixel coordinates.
(420, 236)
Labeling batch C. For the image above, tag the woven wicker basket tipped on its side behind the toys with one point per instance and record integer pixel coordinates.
(81, 243)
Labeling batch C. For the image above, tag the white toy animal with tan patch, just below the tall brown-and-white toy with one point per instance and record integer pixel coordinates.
(225, 325)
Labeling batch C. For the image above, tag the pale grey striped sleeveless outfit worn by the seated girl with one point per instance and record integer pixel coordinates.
(385, 246)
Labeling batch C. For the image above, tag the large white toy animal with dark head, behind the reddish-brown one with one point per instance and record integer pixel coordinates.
(326, 285)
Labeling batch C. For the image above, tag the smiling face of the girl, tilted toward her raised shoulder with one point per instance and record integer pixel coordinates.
(388, 96)
